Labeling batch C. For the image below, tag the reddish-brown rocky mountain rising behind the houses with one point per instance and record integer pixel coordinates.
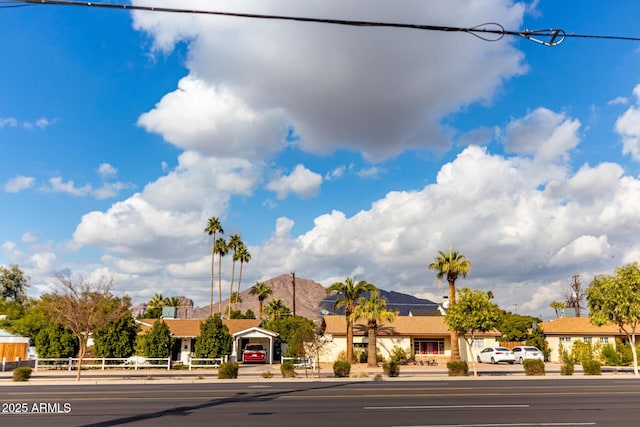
(311, 300)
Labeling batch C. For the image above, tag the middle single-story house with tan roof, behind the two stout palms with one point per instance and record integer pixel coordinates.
(421, 337)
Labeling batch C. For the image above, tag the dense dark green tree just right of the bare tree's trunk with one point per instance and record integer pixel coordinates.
(117, 338)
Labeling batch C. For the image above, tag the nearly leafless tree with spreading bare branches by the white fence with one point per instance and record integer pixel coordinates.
(83, 308)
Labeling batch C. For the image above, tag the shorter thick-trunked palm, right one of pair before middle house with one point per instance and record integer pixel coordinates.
(374, 311)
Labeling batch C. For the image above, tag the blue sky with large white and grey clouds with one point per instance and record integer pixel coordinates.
(333, 151)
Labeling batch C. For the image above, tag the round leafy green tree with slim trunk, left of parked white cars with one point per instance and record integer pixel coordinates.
(473, 313)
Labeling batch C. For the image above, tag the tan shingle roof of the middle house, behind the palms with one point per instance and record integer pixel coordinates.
(403, 326)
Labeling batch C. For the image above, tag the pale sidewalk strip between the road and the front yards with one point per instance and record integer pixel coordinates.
(257, 373)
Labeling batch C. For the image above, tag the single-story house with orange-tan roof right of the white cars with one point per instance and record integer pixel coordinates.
(566, 330)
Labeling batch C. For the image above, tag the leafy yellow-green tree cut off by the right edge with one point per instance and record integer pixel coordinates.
(616, 299)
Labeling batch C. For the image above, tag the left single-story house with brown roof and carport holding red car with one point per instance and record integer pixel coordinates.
(243, 331)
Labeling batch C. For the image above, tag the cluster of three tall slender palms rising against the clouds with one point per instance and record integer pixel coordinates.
(221, 248)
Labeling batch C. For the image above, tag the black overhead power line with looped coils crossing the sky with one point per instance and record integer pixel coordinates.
(490, 31)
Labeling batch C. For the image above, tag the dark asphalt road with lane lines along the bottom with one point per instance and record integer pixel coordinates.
(497, 403)
